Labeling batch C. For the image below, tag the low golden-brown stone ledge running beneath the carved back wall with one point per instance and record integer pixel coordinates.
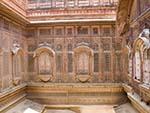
(55, 93)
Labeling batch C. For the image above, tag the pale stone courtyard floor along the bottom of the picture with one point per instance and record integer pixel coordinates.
(28, 106)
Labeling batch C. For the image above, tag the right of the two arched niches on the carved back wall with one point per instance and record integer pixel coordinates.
(83, 59)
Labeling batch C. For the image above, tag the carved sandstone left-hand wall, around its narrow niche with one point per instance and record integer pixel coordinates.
(11, 33)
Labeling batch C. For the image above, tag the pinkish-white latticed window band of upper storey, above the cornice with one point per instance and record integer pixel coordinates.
(33, 4)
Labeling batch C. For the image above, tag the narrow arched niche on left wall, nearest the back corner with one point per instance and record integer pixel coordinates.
(18, 64)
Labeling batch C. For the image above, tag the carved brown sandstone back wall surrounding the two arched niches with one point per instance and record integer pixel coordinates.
(63, 39)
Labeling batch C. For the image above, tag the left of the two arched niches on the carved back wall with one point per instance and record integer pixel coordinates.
(45, 61)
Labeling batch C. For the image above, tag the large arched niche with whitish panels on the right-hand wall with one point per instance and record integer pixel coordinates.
(140, 45)
